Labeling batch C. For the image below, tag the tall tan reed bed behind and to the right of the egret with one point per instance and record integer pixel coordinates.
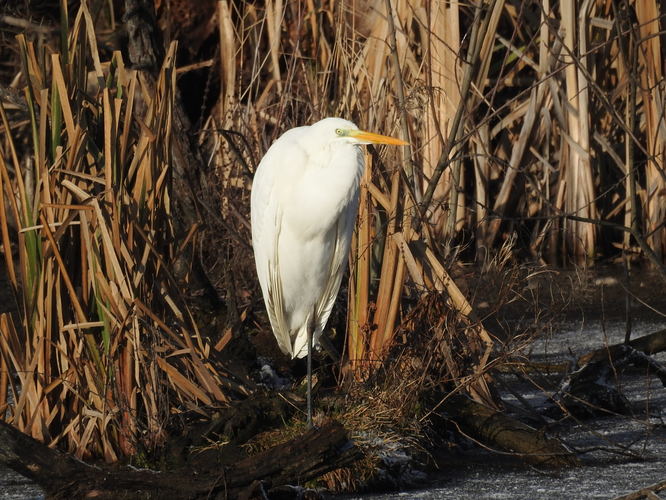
(531, 123)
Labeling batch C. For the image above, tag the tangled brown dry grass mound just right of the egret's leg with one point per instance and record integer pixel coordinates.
(388, 415)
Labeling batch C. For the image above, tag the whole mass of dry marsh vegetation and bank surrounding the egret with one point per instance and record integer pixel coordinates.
(134, 331)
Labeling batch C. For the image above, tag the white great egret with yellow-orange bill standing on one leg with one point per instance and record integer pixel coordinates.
(303, 208)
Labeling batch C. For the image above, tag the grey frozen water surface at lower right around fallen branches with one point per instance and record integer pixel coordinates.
(619, 454)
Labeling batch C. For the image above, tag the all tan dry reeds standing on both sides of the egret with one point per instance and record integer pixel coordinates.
(536, 130)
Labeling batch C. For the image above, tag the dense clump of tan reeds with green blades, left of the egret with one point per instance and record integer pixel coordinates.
(102, 347)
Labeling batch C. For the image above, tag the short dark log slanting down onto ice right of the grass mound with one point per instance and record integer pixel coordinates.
(497, 430)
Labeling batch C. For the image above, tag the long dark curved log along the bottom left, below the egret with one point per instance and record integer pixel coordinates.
(297, 461)
